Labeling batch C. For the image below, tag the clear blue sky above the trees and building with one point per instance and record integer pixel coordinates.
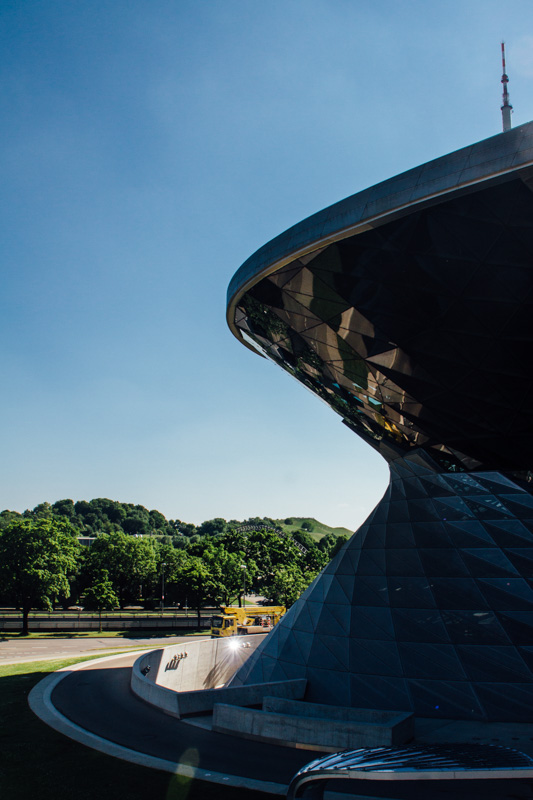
(147, 148)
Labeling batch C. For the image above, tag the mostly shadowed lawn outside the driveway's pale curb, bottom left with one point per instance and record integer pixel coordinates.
(37, 762)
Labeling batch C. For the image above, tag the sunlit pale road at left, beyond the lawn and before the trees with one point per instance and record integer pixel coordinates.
(13, 651)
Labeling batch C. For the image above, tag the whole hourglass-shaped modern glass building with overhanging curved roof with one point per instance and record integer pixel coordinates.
(408, 308)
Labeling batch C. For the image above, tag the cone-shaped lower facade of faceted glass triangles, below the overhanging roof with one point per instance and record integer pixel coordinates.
(428, 608)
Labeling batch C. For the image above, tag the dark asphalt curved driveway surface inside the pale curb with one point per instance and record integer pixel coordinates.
(99, 699)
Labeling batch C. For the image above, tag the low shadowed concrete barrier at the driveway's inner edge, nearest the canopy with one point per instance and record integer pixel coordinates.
(309, 732)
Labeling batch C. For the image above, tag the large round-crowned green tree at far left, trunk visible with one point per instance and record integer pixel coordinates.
(37, 558)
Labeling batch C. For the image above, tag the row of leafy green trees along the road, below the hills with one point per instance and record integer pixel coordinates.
(42, 564)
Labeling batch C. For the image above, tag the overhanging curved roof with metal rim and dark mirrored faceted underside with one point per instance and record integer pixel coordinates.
(408, 307)
